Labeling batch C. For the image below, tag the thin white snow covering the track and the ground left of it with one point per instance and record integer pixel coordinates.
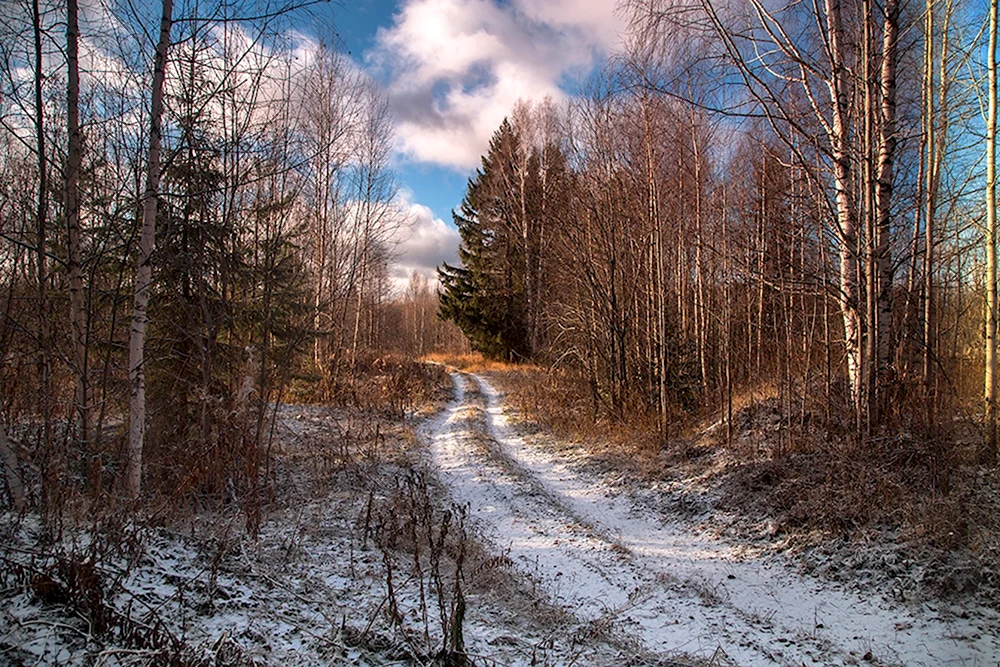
(573, 570)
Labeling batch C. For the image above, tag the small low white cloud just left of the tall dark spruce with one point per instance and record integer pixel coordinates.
(423, 245)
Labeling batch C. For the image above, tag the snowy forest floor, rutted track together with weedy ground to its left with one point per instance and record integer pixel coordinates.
(463, 527)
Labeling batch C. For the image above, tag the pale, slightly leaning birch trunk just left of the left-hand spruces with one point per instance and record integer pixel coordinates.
(143, 275)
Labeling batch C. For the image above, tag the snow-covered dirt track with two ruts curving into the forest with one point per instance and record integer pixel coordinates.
(650, 580)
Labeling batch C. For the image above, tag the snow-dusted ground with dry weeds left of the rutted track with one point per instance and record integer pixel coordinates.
(311, 590)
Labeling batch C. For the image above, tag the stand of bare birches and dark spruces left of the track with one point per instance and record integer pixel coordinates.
(177, 247)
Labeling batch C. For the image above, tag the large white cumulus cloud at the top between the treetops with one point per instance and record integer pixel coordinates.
(456, 67)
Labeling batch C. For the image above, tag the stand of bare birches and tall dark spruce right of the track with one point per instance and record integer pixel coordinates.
(743, 204)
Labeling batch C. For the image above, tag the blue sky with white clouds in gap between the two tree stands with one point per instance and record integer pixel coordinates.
(452, 70)
